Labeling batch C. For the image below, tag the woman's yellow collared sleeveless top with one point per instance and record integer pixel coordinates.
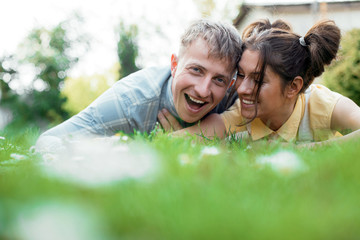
(320, 106)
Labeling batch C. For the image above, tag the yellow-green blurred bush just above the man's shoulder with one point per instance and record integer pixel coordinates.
(81, 91)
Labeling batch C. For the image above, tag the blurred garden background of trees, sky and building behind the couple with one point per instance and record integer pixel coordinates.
(56, 57)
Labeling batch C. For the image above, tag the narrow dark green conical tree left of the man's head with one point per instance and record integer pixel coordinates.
(127, 49)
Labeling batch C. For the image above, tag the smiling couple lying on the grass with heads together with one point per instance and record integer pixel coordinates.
(274, 70)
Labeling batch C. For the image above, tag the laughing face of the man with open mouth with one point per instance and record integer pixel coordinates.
(200, 81)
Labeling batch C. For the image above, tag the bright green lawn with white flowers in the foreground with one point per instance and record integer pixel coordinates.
(160, 187)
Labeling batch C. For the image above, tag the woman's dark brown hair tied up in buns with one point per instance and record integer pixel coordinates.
(280, 49)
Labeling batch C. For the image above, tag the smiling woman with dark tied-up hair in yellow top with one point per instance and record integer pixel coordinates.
(276, 100)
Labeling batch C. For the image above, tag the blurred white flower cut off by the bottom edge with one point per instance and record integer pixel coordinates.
(56, 222)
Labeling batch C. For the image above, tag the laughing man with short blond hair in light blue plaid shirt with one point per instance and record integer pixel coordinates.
(195, 84)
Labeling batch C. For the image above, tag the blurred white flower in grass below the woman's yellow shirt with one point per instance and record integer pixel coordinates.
(283, 162)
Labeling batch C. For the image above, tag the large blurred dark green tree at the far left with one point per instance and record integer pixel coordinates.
(50, 52)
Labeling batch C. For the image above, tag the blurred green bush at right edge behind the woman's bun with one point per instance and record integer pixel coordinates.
(343, 75)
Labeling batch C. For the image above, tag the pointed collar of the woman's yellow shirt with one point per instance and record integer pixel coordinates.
(288, 131)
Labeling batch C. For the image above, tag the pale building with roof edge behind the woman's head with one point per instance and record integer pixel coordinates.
(301, 15)
